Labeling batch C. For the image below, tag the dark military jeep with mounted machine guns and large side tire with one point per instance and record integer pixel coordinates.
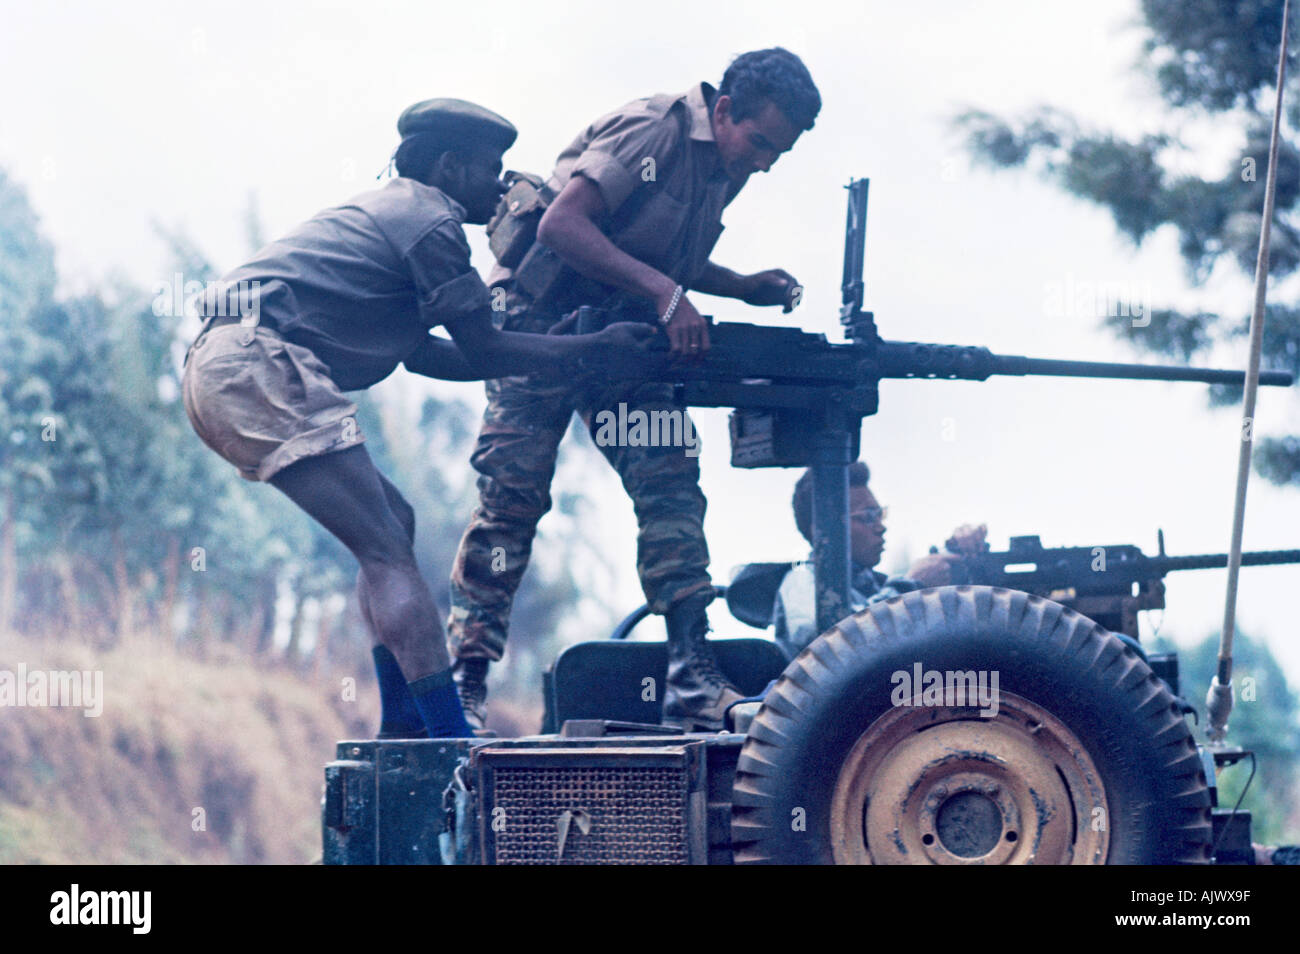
(1012, 719)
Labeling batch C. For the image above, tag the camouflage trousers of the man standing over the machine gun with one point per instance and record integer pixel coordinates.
(515, 458)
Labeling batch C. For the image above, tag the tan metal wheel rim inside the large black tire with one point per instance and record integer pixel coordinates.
(939, 786)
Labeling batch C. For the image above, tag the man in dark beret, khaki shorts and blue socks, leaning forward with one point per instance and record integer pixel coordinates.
(335, 307)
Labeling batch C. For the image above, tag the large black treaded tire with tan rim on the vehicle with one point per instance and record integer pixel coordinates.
(1077, 753)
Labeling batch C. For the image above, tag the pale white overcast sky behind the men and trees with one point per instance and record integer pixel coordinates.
(119, 116)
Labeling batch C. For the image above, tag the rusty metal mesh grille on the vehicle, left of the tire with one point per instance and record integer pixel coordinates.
(638, 816)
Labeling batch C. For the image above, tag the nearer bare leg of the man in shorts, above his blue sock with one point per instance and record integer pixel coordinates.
(346, 495)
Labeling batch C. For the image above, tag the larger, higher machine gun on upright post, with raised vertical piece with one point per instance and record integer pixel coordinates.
(800, 400)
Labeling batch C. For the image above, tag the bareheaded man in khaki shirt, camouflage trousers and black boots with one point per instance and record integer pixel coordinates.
(638, 210)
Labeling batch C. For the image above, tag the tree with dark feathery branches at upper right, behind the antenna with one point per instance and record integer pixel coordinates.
(1216, 58)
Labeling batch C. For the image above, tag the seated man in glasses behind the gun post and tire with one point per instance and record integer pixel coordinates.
(795, 613)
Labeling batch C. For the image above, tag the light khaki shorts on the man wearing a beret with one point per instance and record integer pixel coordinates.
(266, 405)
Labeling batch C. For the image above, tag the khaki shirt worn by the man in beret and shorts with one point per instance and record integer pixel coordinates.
(362, 284)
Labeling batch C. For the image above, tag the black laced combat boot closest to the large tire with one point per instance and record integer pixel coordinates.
(697, 695)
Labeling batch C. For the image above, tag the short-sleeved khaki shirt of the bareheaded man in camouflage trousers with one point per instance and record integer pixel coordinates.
(657, 167)
